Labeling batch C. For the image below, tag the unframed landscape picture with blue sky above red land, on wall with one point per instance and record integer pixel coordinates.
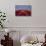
(23, 10)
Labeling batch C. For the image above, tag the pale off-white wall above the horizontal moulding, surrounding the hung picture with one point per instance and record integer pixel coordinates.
(38, 18)
